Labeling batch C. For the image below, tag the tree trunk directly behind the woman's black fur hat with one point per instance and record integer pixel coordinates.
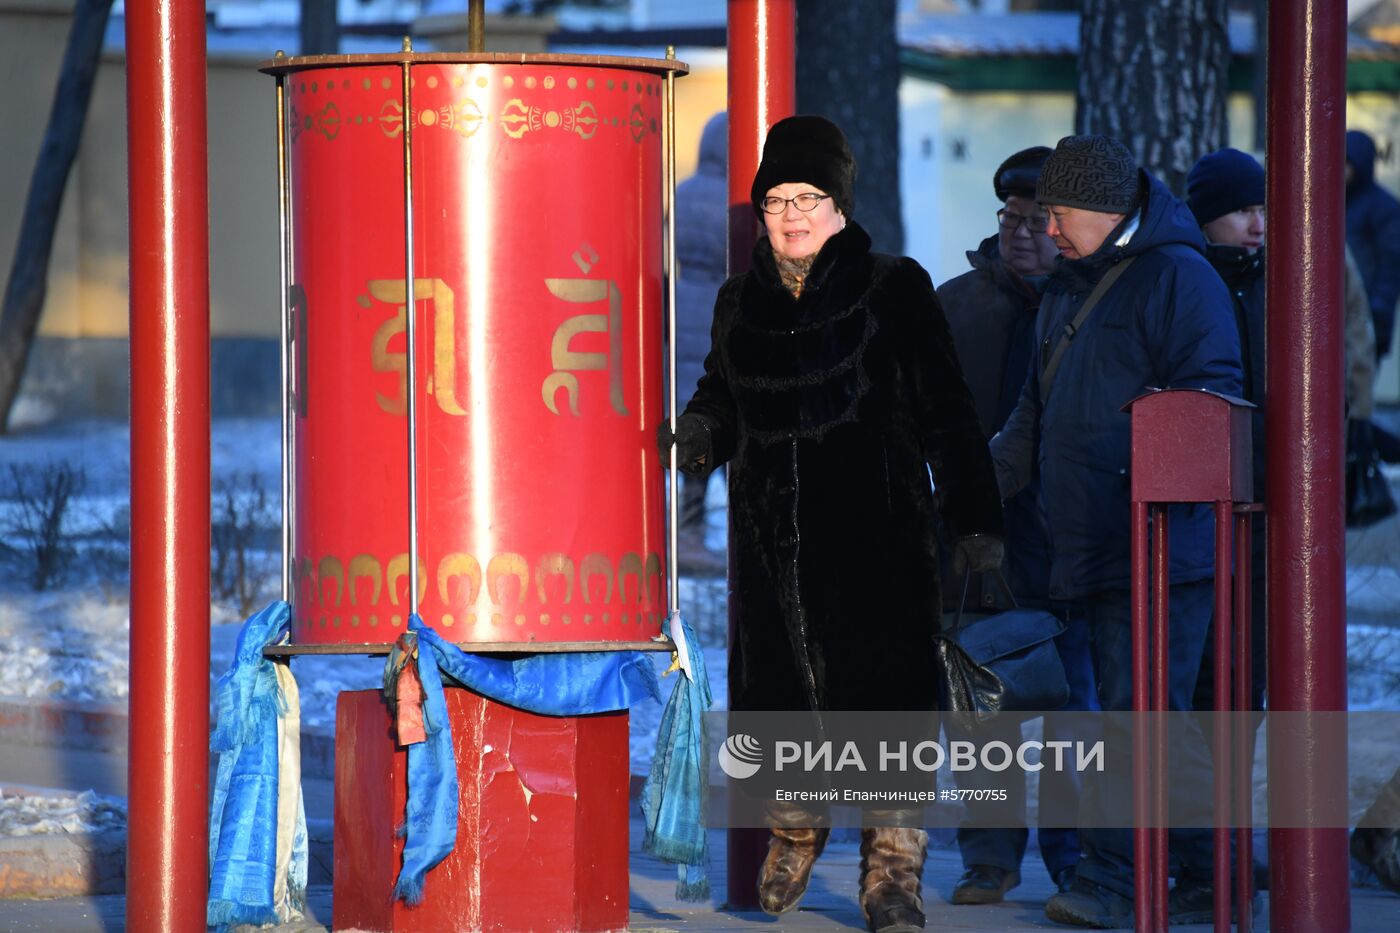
(848, 71)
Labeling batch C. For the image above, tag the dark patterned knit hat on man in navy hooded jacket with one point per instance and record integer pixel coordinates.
(1091, 173)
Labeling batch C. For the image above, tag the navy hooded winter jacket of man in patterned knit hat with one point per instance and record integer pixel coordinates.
(1167, 323)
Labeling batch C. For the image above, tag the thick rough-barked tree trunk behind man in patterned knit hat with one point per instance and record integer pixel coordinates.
(1156, 75)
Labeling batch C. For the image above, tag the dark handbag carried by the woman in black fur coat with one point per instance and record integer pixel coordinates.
(1002, 663)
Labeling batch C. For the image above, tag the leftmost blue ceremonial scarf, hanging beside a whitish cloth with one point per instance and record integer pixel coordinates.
(243, 824)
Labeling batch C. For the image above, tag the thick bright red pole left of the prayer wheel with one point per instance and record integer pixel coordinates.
(167, 873)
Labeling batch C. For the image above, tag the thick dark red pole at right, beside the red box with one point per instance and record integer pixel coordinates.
(1307, 548)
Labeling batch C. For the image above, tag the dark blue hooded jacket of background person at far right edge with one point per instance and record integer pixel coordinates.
(1374, 236)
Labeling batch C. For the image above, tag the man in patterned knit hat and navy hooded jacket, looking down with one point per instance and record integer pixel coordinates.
(1161, 317)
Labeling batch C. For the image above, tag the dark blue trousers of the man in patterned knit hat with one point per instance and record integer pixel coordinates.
(1107, 857)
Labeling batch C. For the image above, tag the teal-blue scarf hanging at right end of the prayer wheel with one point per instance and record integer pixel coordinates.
(677, 792)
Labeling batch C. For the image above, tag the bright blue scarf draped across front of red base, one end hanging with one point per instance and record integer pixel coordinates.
(572, 684)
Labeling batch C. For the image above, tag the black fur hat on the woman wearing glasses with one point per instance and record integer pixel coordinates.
(813, 151)
